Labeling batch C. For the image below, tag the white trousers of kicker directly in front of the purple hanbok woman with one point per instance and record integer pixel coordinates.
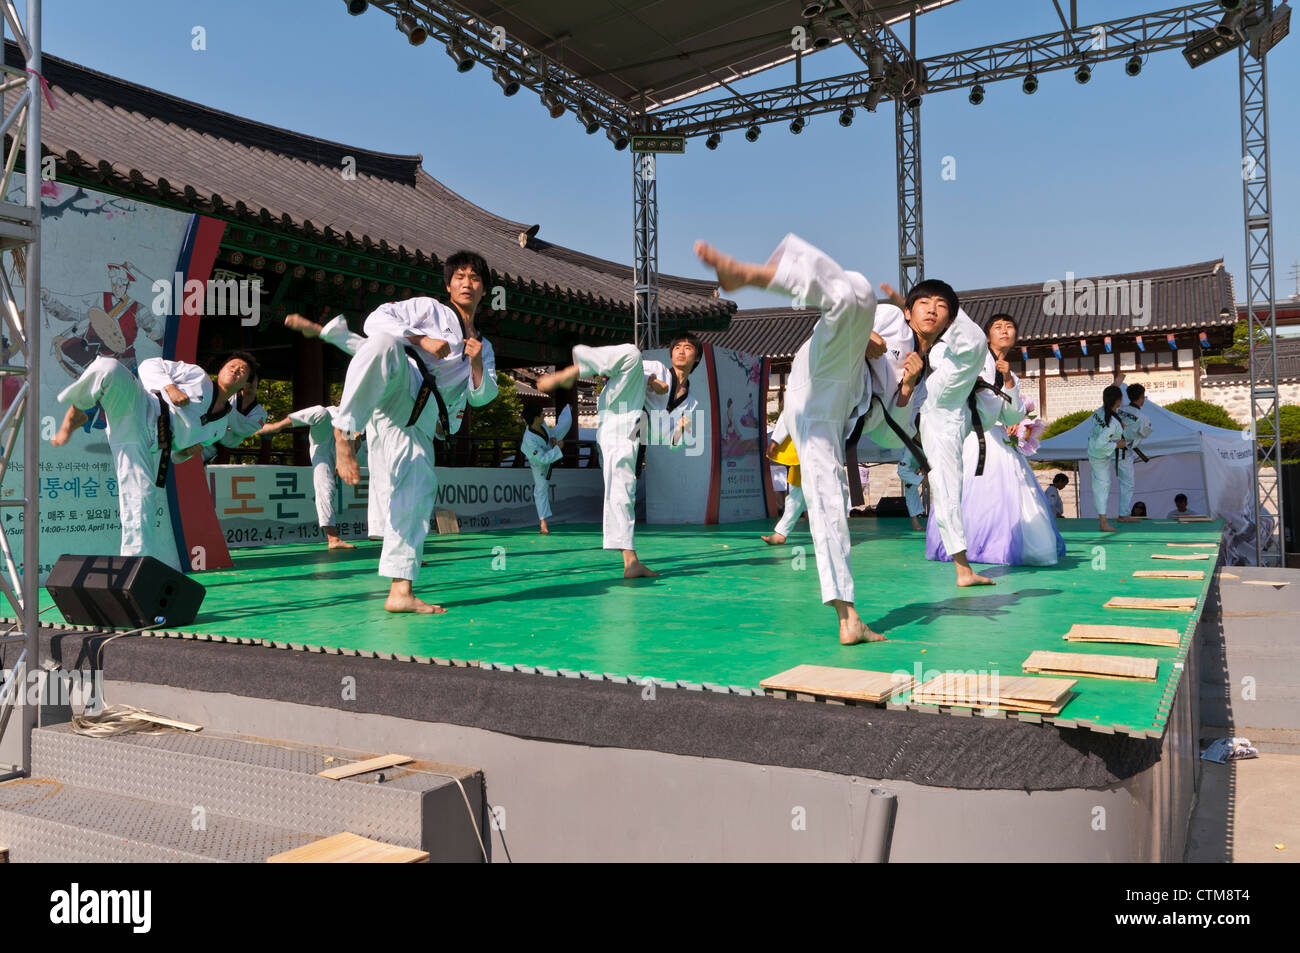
(955, 361)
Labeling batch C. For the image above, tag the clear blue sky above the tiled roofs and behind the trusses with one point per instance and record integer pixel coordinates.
(1121, 175)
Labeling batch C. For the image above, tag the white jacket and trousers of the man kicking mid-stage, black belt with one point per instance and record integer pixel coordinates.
(621, 410)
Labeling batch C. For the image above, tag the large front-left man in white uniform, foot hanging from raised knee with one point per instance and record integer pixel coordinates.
(421, 365)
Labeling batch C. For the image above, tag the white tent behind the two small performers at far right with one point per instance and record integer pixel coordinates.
(1211, 465)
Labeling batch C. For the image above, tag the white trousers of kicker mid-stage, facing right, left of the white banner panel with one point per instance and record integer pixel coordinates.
(622, 404)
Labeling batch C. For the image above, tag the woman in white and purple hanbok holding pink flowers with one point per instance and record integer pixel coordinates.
(1007, 516)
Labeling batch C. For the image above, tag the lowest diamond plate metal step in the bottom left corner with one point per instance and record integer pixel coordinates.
(47, 822)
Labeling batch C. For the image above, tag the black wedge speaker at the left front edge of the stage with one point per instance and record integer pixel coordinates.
(124, 592)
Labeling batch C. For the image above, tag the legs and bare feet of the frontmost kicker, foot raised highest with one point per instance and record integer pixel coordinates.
(826, 385)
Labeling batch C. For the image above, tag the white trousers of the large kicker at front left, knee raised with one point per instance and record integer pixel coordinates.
(378, 389)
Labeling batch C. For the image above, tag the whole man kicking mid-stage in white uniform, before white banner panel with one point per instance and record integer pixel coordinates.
(632, 385)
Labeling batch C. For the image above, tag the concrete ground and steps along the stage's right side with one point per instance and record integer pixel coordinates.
(1250, 687)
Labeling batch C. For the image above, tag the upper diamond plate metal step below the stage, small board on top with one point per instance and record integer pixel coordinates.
(274, 783)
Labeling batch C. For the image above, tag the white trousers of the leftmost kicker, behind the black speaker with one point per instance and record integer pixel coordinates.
(132, 414)
